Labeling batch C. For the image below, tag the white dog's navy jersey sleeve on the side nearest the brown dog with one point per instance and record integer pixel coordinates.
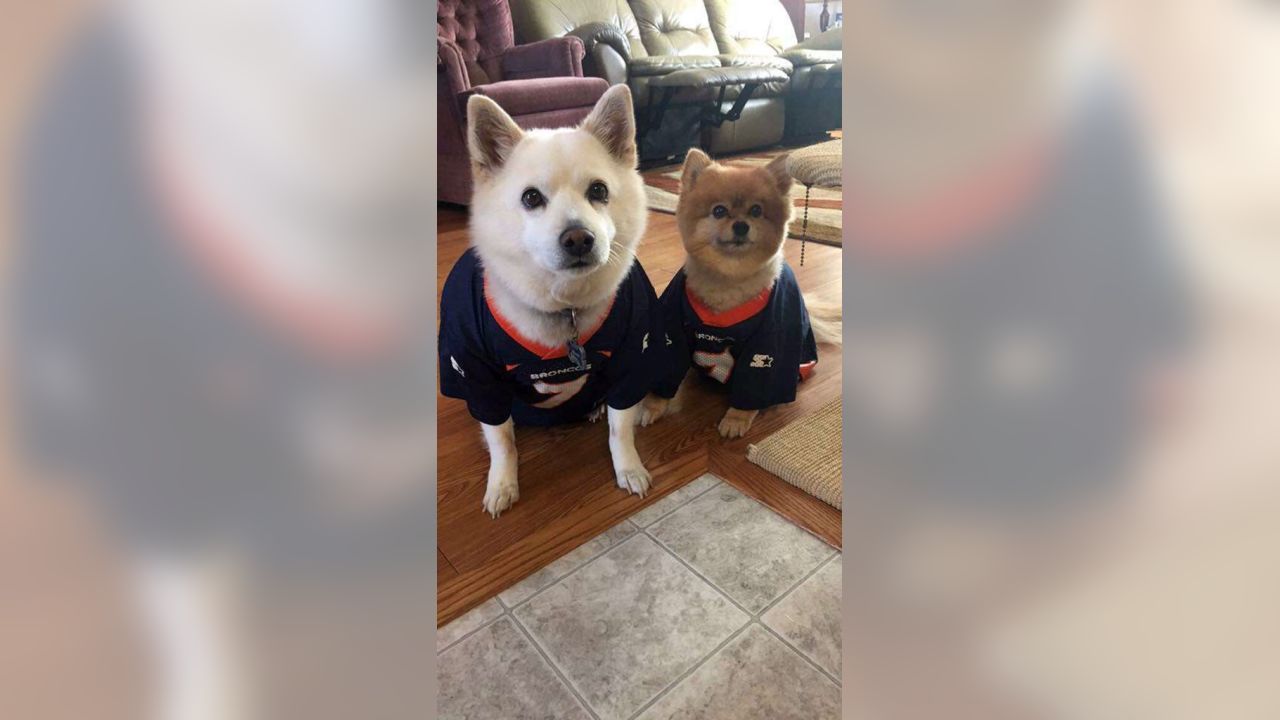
(638, 366)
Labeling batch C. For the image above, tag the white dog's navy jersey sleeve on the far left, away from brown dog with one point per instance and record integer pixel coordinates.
(467, 371)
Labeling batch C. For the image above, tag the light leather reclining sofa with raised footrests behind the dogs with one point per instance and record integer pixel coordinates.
(636, 42)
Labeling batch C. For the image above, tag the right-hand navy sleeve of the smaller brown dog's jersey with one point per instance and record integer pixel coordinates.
(767, 370)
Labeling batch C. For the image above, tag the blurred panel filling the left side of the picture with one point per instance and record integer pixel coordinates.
(220, 443)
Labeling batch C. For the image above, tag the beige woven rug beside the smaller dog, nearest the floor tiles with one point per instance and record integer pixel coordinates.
(807, 453)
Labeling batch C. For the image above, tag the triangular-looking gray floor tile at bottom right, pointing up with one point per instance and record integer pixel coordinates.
(756, 677)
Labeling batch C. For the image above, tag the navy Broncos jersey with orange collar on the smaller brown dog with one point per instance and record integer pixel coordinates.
(761, 350)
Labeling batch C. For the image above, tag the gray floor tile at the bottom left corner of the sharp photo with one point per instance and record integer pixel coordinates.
(497, 675)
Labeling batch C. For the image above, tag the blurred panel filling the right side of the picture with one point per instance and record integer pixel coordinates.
(1063, 455)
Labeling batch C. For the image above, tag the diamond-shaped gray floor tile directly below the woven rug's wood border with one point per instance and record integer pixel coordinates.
(747, 550)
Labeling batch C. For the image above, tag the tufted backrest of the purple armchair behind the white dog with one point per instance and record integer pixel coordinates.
(482, 30)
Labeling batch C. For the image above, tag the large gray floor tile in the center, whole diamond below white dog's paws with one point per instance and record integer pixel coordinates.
(629, 625)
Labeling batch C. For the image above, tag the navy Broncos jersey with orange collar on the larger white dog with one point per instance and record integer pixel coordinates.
(486, 362)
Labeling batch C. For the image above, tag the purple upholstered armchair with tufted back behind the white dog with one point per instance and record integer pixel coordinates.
(540, 85)
